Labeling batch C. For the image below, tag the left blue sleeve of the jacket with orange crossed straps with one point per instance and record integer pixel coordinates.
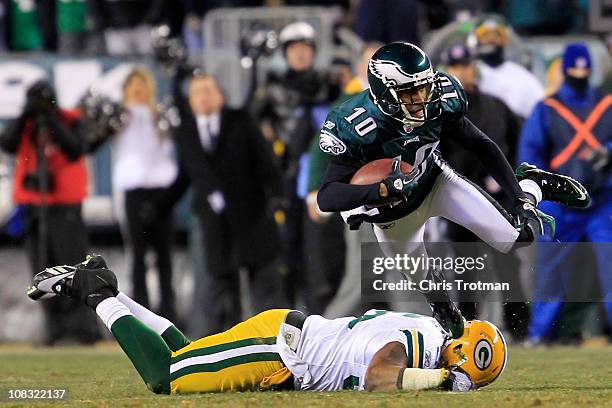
(532, 141)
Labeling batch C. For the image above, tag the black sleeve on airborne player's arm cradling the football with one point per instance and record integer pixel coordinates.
(336, 194)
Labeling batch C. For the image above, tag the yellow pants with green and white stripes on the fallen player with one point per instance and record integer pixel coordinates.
(243, 358)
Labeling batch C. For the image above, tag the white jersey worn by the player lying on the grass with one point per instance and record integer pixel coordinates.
(337, 352)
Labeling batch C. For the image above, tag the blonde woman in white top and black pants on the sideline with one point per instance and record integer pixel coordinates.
(143, 167)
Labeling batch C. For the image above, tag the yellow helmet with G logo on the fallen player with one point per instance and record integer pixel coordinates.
(481, 352)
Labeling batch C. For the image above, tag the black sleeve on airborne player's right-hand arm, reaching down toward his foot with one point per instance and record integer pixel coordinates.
(489, 154)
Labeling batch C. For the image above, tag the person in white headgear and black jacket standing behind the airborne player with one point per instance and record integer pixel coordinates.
(288, 107)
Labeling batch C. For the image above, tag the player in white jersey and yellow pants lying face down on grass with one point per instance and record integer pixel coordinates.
(284, 349)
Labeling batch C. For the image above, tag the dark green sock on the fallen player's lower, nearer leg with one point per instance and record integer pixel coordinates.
(148, 352)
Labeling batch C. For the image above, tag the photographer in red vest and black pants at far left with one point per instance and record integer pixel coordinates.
(50, 183)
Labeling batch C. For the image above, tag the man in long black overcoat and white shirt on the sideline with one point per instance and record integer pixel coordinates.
(229, 165)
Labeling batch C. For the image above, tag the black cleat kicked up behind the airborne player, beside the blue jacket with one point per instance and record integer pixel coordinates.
(555, 187)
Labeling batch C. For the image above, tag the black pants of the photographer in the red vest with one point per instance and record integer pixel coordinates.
(65, 243)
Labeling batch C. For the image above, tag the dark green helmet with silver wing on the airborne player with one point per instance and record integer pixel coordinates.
(403, 83)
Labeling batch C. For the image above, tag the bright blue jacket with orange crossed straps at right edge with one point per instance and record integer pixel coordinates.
(546, 134)
